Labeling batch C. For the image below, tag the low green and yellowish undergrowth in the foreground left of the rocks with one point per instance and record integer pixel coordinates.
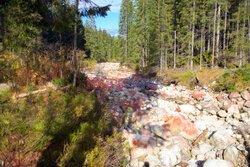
(57, 129)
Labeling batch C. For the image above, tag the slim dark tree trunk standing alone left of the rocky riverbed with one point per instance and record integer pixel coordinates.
(75, 44)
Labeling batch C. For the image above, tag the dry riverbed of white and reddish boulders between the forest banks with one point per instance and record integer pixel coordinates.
(173, 125)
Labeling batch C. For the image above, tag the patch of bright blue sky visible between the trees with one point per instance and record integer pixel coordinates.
(110, 23)
